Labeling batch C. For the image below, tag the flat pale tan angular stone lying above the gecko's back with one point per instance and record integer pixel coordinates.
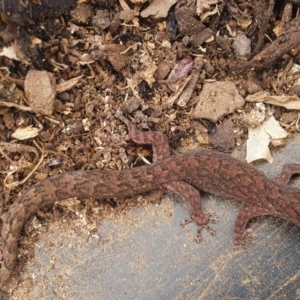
(216, 100)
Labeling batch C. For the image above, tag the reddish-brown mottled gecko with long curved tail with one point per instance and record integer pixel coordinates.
(185, 174)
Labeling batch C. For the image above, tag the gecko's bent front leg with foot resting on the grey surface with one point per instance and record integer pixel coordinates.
(243, 236)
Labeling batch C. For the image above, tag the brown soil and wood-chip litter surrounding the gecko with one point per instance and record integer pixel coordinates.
(66, 68)
